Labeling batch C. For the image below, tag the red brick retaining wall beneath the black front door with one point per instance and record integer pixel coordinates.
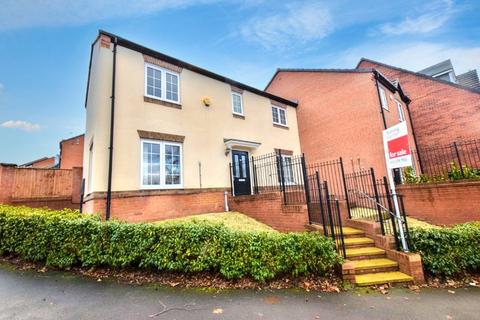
(269, 209)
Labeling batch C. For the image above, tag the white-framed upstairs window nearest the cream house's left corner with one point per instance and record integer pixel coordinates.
(162, 84)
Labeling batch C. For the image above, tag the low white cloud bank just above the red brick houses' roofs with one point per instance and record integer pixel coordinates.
(414, 56)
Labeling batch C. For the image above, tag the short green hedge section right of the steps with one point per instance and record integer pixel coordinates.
(449, 251)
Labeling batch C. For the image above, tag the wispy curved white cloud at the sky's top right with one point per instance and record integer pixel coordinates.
(439, 12)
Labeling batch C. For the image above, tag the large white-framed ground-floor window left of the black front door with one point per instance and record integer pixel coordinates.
(161, 165)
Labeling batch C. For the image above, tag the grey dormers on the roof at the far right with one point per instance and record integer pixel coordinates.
(444, 70)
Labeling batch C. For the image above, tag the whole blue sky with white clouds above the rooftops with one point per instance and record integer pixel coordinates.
(45, 46)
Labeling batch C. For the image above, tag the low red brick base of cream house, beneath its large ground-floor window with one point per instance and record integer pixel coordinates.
(143, 206)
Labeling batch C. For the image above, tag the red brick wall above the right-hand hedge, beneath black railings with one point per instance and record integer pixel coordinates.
(443, 203)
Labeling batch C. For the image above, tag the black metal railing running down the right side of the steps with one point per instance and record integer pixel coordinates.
(371, 199)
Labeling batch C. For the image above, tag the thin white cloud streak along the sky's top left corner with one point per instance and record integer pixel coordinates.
(16, 14)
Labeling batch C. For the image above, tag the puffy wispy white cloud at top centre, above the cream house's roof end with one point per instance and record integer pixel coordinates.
(296, 24)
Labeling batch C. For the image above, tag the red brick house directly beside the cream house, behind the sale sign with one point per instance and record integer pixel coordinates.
(343, 113)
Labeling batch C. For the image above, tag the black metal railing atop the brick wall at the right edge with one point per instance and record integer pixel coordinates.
(441, 161)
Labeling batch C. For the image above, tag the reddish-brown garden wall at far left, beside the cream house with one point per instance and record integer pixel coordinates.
(53, 188)
